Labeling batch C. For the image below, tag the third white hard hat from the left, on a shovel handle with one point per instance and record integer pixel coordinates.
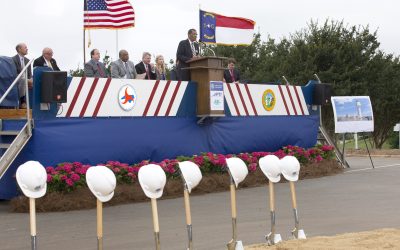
(152, 179)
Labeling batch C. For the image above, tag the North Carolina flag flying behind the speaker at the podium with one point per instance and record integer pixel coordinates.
(215, 28)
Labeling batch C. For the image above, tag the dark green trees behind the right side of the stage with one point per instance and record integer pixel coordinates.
(347, 57)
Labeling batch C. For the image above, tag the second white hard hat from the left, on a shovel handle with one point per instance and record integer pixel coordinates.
(102, 182)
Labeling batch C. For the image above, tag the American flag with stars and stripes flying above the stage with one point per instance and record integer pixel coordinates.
(108, 14)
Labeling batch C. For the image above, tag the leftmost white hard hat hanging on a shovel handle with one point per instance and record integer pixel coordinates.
(32, 179)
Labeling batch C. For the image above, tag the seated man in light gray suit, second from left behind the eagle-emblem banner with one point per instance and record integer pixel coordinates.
(123, 68)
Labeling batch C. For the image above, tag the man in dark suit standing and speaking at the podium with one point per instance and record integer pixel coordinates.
(187, 49)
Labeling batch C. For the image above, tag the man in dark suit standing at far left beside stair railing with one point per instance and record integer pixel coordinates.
(20, 61)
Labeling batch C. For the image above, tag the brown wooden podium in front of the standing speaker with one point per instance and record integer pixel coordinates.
(203, 70)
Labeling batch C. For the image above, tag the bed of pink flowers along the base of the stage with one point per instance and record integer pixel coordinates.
(66, 177)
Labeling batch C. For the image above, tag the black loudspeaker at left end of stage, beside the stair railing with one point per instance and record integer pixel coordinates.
(54, 87)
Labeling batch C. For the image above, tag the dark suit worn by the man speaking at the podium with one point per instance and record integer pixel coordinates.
(184, 54)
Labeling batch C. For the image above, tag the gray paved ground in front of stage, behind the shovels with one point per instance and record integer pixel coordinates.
(359, 199)
